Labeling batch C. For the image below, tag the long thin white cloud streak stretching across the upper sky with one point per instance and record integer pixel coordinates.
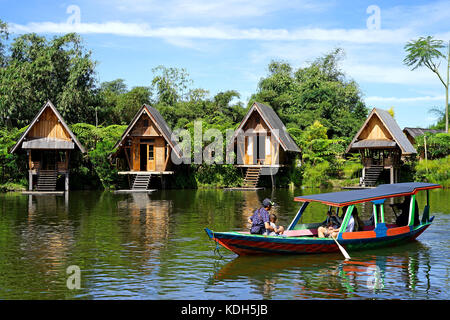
(218, 32)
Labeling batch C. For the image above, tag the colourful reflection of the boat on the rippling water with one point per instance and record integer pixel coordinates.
(375, 274)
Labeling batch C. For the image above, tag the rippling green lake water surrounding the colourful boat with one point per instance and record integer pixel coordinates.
(138, 246)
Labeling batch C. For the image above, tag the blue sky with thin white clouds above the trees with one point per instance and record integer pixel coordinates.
(227, 45)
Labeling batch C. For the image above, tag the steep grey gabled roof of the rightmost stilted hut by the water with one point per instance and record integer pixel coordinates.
(391, 125)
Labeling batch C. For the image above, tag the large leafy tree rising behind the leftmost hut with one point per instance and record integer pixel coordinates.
(37, 70)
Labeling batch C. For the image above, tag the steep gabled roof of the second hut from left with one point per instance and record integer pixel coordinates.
(159, 122)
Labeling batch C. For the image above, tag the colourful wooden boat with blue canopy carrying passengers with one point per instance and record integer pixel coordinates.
(302, 238)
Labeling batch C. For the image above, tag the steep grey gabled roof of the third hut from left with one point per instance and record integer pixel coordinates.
(274, 123)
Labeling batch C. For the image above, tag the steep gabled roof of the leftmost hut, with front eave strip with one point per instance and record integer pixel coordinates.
(46, 142)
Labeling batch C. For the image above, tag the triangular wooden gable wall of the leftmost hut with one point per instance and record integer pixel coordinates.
(48, 126)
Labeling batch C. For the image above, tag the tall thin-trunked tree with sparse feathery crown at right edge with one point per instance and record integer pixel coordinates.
(428, 52)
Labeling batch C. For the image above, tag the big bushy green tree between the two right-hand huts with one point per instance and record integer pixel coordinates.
(319, 91)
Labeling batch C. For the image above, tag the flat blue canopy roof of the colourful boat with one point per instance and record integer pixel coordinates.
(345, 198)
